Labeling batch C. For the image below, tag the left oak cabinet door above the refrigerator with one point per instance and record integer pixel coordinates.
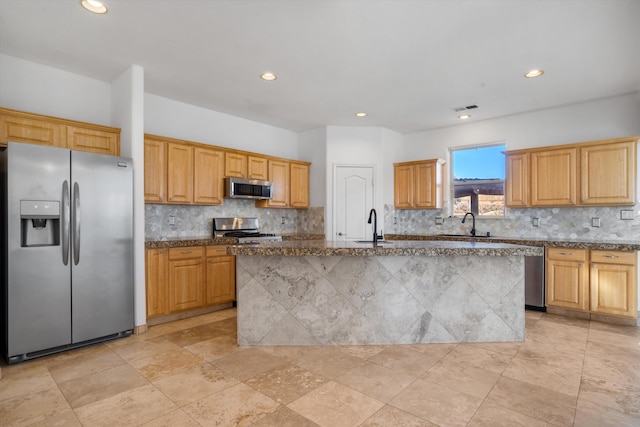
(32, 131)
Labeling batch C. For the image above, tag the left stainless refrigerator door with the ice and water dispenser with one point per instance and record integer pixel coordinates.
(38, 283)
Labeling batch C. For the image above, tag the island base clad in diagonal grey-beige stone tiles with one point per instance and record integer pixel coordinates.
(315, 300)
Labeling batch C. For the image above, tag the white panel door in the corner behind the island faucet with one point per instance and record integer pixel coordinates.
(353, 199)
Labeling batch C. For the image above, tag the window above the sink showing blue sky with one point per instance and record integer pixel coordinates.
(478, 180)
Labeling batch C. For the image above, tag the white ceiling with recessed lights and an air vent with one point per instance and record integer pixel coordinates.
(408, 64)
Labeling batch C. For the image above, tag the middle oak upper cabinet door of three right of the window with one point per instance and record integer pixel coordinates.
(554, 177)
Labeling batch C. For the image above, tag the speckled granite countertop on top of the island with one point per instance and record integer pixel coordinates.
(386, 248)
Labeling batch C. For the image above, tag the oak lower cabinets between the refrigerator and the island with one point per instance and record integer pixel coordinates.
(185, 278)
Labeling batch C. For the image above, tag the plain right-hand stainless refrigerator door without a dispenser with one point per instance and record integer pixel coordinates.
(102, 280)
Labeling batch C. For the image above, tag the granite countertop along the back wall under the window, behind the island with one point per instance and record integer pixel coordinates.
(612, 245)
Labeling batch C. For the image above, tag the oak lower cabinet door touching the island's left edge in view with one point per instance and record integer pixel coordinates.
(220, 282)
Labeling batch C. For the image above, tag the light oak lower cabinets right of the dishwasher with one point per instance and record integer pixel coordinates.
(596, 281)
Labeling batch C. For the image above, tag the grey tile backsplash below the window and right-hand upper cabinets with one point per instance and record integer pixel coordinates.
(567, 223)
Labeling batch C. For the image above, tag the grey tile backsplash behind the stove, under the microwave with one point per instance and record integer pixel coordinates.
(196, 221)
